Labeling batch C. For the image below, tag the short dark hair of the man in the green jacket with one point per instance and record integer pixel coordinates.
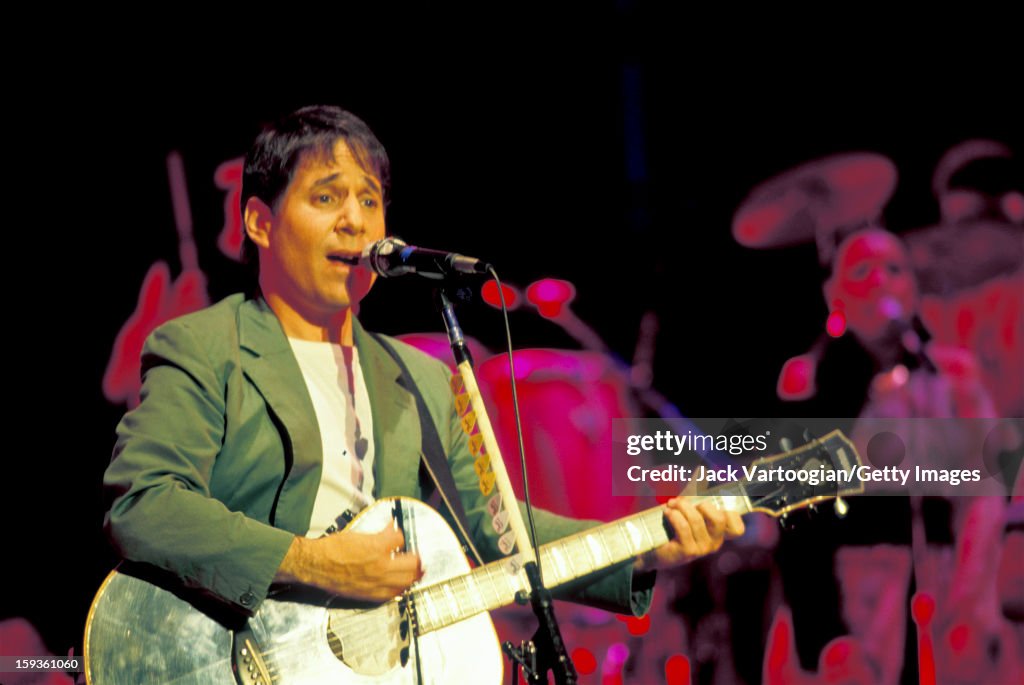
(279, 149)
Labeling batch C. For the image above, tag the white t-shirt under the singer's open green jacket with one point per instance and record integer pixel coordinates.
(338, 391)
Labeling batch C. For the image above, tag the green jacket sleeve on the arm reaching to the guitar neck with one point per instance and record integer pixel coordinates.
(615, 589)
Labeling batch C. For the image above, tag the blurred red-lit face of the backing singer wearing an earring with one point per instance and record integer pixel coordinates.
(875, 284)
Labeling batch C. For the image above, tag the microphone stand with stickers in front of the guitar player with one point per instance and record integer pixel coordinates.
(546, 651)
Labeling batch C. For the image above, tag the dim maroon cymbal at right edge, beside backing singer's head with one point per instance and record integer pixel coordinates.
(950, 259)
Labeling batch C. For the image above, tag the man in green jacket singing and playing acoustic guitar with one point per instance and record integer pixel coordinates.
(267, 422)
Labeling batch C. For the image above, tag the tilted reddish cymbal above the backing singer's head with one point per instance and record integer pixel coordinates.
(824, 195)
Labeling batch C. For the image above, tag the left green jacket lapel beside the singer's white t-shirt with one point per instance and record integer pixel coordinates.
(269, 362)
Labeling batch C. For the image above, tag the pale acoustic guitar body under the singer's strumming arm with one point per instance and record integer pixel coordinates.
(139, 632)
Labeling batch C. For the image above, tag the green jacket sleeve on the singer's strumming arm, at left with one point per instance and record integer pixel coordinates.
(159, 481)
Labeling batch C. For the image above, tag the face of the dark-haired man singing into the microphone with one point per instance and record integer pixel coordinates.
(332, 209)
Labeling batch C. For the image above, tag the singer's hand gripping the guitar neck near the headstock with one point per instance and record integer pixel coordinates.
(698, 531)
